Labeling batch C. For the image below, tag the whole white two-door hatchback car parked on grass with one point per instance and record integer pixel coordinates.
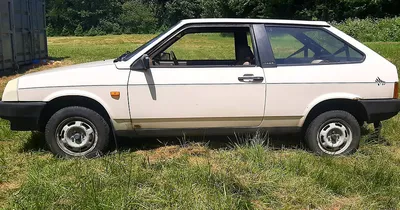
(237, 75)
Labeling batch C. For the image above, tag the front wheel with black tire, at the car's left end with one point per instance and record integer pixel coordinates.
(82, 122)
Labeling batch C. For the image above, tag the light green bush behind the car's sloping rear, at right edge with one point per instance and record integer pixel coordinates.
(372, 30)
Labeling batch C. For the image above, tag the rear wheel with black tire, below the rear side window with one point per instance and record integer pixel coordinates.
(329, 122)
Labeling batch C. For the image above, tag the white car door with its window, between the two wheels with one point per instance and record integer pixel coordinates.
(205, 89)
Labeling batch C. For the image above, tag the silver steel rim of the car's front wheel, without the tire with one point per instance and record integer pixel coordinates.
(76, 136)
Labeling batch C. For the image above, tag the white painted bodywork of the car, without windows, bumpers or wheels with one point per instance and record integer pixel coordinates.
(178, 98)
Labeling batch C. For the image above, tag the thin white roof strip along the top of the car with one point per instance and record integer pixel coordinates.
(262, 21)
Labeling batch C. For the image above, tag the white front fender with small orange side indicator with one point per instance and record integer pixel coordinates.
(93, 80)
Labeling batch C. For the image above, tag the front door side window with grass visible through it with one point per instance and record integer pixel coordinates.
(207, 47)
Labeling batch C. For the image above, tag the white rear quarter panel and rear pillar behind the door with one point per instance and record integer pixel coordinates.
(292, 91)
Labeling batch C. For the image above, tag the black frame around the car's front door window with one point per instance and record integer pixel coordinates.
(156, 48)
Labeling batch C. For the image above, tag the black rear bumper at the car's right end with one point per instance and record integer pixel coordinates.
(380, 109)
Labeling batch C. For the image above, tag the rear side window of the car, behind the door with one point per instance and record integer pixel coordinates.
(302, 46)
